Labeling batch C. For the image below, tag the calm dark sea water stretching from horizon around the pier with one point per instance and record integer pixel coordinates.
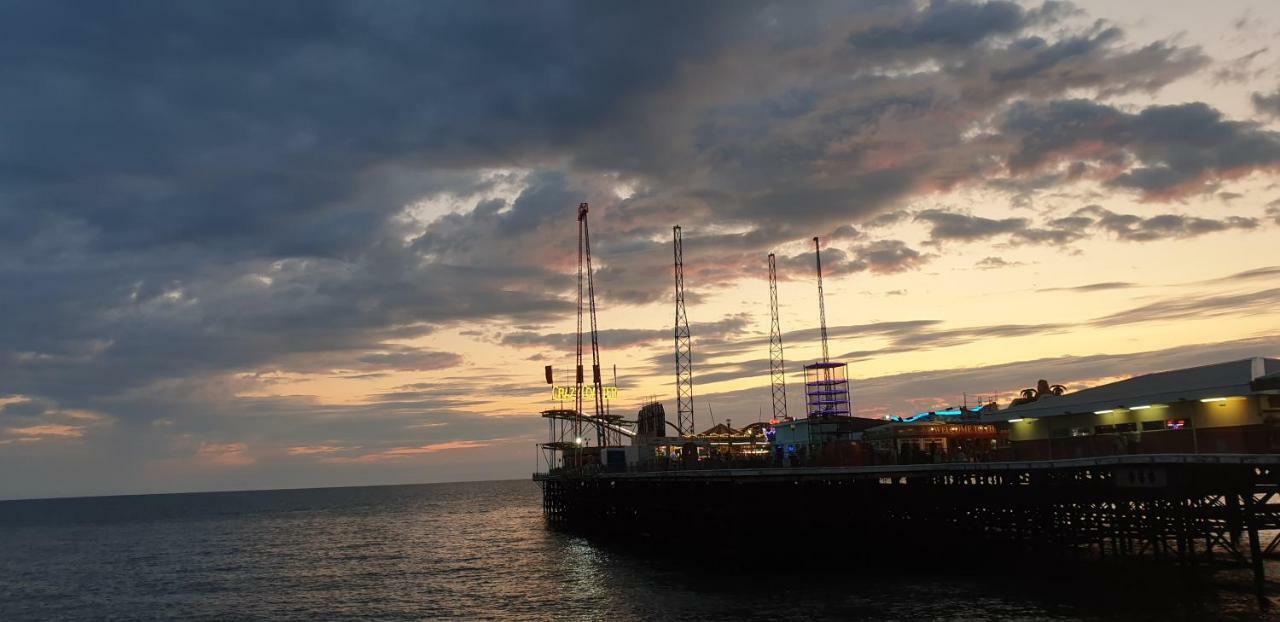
(482, 552)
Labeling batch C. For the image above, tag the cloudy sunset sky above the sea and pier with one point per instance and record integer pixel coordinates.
(253, 246)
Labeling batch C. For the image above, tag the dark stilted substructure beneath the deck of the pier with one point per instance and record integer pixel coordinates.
(1183, 509)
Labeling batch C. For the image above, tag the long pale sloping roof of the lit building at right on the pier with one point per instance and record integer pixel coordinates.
(1224, 379)
